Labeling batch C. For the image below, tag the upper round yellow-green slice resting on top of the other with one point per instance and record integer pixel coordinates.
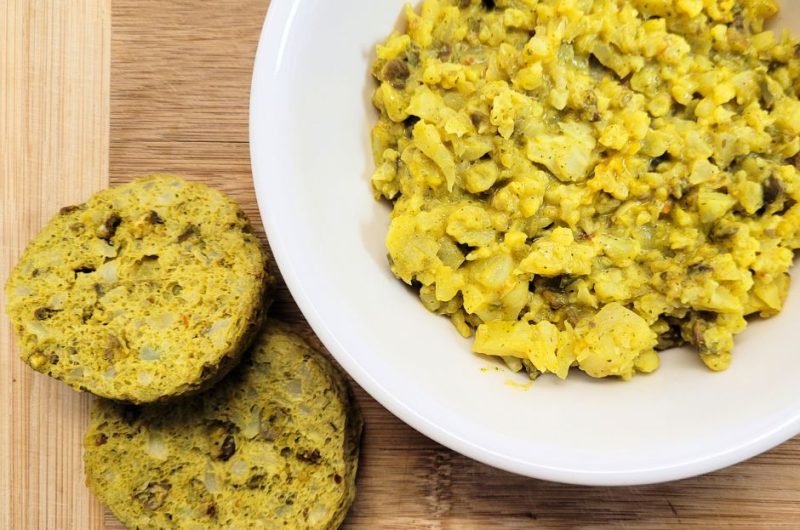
(148, 291)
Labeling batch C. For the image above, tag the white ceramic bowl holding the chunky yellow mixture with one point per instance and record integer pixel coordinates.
(310, 121)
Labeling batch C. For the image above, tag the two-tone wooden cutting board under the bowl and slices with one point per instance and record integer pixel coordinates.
(97, 91)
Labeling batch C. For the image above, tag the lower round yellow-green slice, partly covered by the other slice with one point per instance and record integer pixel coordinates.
(274, 445)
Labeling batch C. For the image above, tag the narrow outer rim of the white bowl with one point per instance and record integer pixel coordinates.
(276, 31)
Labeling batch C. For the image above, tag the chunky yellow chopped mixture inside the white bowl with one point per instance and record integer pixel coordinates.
(584, 183)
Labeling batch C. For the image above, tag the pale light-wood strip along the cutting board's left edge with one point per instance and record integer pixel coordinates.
(54, 93)
